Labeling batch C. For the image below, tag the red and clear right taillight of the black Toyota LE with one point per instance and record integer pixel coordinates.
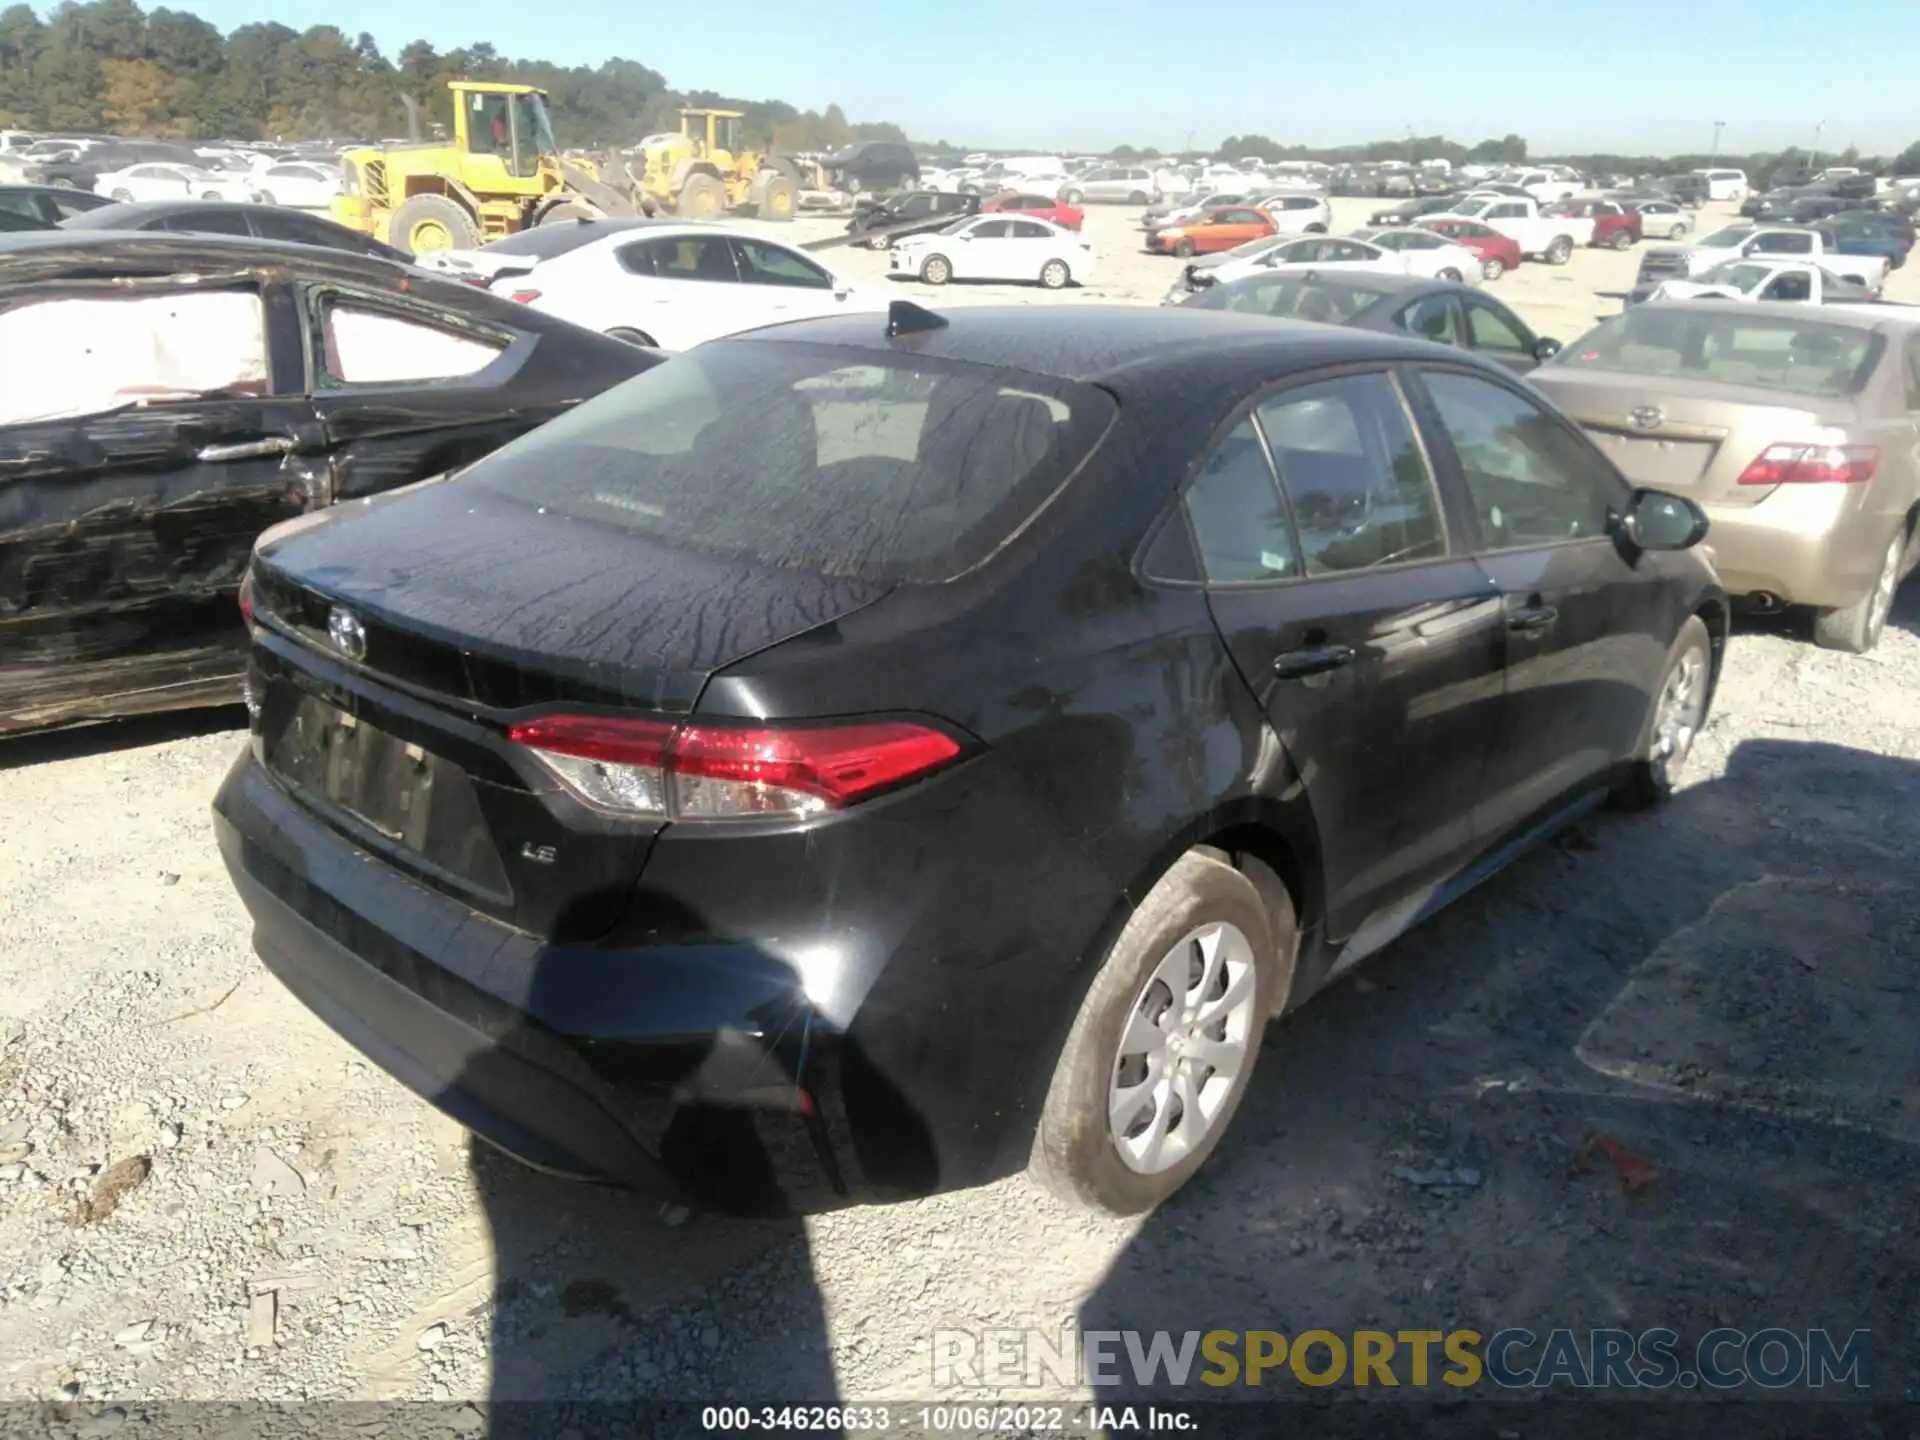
(723, 773)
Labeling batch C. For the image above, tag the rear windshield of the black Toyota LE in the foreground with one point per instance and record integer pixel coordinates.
(813, 458)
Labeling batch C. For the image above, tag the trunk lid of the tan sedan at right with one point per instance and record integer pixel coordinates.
(1691, 437)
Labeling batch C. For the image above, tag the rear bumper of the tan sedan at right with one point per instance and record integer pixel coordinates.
(1817, 546)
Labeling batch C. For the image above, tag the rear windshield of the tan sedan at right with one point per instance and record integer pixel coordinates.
(1764, 352)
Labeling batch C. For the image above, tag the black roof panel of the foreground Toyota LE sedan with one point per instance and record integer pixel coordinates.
(1093, 343)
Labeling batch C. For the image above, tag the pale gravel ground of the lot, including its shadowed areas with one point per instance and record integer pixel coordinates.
(206, 1195)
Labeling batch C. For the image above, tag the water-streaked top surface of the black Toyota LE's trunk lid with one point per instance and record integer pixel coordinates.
(466, 587)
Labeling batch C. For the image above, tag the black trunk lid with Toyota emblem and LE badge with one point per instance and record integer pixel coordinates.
(464, 612)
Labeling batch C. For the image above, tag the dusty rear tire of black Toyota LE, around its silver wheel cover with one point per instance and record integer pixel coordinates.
(1074, 1151)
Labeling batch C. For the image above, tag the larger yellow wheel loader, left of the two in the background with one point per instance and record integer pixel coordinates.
(502, 172)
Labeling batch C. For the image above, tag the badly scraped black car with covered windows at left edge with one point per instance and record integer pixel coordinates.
(164, 398)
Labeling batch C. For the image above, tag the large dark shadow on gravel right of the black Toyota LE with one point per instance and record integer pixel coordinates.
(1727, 988)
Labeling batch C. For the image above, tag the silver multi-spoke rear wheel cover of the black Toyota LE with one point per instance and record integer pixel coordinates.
(1184, 1049)
